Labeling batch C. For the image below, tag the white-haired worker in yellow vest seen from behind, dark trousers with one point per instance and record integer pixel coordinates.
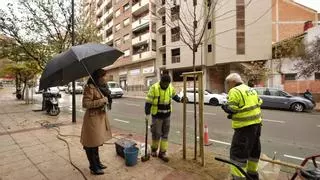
(243, 108)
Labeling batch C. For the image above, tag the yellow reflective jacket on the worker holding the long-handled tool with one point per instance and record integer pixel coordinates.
(160, 99)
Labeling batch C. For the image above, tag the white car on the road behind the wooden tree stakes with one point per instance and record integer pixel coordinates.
(209, 98)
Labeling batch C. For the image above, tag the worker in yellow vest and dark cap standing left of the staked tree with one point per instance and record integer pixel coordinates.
(158, 104)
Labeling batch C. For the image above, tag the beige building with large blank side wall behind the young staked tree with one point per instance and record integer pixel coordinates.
(239, 31)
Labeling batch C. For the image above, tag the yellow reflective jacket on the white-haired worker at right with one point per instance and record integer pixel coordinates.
(245, 103)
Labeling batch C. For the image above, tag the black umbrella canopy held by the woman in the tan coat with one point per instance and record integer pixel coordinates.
(76, 62)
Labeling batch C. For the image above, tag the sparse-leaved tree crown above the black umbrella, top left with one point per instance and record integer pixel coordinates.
(42, 28)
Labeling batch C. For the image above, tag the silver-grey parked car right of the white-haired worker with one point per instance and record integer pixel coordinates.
(275, 98)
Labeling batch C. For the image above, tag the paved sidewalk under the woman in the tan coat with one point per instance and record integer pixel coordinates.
(30, 151)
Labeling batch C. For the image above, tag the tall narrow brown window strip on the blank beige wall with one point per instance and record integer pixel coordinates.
(240, 26)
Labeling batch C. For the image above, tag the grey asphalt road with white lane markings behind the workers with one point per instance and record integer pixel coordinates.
(291, 135)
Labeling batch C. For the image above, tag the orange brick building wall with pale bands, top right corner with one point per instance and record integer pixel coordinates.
(290, 18)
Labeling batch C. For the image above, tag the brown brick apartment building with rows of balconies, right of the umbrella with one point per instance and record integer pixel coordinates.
(130, 25)
